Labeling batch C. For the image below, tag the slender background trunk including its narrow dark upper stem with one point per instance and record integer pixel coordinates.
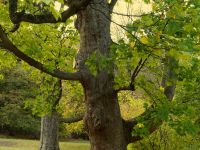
(50, 122)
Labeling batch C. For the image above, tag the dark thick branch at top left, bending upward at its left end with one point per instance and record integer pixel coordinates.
(17, 17)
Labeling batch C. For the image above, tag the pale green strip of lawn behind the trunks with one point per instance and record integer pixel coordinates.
(18, 144)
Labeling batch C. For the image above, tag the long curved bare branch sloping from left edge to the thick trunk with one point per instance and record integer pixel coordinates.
(8, 45)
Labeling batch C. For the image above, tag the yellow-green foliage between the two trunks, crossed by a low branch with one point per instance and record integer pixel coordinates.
(72, 105)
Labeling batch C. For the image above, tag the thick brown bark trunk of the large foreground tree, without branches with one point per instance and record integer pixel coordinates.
(103, 119)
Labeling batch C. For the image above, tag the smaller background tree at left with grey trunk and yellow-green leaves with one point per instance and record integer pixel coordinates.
(47, 90)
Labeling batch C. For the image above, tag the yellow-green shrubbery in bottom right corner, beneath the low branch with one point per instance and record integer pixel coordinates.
(165, 138)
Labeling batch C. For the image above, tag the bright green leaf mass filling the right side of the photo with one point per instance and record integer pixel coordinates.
(170, 31)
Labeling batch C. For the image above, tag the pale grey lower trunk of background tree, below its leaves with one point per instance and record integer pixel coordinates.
(49, 132)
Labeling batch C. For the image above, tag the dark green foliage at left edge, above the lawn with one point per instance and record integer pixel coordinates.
(15, 90)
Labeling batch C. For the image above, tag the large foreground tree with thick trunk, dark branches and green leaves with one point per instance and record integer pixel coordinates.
(169, 28)
